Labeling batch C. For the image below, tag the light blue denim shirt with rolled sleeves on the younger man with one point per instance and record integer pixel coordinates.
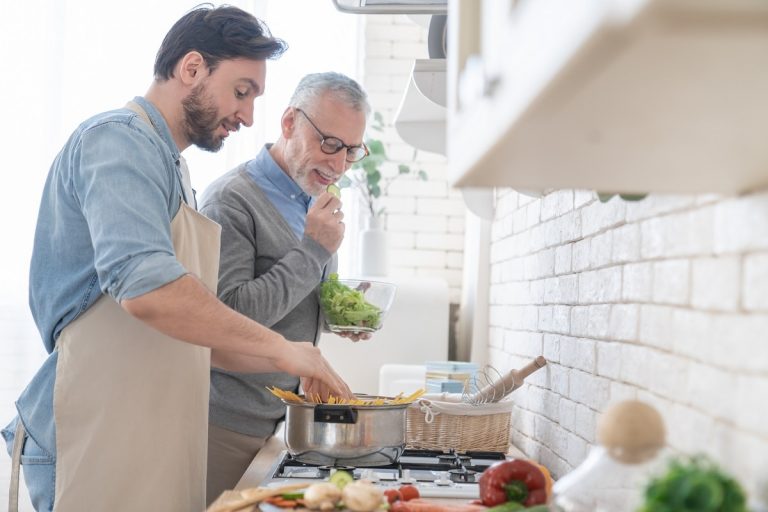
(103, 228)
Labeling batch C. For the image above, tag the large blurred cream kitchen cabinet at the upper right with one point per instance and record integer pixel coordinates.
(613, 95)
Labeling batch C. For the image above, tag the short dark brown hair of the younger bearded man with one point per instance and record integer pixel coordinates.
(218, 33)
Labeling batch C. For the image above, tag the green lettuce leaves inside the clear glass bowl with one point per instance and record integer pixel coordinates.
(345, 306)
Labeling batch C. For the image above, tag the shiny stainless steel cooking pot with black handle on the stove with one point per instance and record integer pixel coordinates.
(345, 435)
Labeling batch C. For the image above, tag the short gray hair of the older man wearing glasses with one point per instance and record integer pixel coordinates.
(314, 85)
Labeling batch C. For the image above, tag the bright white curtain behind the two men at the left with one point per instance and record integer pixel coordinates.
(64, 60)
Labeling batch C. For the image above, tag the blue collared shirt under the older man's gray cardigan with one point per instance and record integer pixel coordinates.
(284, 193)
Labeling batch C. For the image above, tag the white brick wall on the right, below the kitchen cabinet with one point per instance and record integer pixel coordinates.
(665, 300)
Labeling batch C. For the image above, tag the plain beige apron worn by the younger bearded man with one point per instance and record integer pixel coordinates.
(131, 404)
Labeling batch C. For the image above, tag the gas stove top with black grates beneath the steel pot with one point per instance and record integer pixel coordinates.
(437, 474)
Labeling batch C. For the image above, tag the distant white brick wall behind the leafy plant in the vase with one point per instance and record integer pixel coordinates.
(425, 223)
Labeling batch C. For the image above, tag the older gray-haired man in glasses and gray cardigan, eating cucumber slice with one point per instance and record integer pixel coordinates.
(280, 233)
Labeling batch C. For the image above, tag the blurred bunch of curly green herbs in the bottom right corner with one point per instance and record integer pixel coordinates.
(694, 485)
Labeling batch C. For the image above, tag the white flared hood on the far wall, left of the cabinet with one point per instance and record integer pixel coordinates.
(420, 119)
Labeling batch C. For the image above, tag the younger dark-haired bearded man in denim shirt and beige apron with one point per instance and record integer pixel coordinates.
(122, 287)
